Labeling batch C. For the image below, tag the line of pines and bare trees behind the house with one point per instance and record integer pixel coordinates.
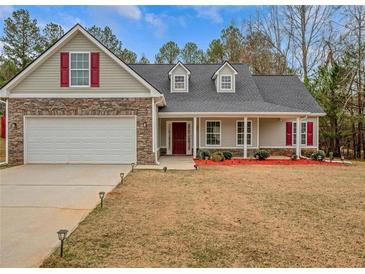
(324, 45)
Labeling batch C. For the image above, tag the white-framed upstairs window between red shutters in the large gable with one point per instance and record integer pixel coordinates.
(80, 69)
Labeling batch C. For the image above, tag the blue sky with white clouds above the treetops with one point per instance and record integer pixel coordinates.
(144, 29)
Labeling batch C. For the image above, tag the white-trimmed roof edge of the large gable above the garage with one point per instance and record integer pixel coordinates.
(62, 41)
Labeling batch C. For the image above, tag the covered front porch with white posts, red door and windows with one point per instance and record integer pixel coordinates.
(241, 135)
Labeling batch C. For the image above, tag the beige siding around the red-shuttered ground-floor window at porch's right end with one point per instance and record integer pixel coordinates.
(273, 131)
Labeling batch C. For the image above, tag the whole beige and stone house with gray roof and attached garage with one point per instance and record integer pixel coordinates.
(79, 103)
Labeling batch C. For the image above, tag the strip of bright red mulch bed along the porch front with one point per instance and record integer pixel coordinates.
(263, 162)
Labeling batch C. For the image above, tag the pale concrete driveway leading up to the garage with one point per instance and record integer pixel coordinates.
(38, 200)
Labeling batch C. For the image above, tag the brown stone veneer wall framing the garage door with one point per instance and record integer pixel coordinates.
(141, 107)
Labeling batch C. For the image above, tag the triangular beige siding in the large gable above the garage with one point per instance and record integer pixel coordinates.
(46, 77)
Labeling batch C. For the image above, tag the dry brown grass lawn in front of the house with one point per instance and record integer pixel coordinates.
(241, 216)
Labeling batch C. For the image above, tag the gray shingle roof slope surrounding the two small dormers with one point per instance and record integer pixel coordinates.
(253, 93)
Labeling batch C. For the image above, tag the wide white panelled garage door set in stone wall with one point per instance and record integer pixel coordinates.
(108, 140)
